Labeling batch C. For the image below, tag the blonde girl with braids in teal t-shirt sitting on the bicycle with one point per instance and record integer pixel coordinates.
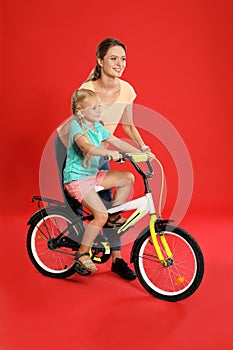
(81, 173)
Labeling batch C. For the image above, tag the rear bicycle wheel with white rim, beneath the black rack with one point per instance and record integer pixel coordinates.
(49, 259)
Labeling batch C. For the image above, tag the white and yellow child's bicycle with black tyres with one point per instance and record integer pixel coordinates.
(168, 261)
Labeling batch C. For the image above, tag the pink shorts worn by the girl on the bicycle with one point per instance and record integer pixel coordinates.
(80, 188)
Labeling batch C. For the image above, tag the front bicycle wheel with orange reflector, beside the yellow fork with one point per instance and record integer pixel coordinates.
(184, 273)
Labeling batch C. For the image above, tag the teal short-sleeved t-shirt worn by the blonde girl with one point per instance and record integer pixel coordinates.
(74, 169)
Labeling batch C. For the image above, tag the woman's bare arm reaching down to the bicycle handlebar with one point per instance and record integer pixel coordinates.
(130, 129)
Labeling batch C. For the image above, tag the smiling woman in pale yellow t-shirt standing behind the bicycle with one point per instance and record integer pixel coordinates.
(116, 98)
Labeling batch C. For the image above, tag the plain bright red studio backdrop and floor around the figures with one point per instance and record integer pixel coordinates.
(180, 64)
